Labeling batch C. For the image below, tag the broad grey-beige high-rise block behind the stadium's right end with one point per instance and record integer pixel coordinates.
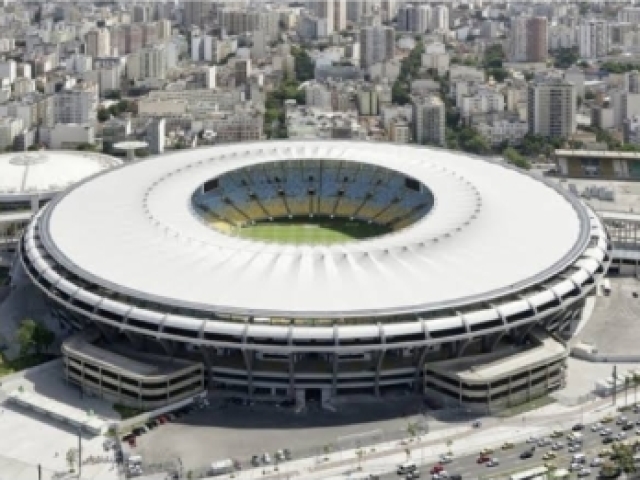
(551, 108)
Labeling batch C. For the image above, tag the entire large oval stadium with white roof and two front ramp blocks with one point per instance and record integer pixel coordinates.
(314, 270)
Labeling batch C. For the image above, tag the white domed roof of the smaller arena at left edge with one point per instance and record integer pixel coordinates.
(47, 172)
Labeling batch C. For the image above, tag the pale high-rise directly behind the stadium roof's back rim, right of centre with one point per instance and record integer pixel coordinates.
(428, 118)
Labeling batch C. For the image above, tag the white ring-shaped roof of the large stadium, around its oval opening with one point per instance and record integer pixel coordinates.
(493, 230)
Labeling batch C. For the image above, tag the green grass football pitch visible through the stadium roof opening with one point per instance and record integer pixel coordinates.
(311, 231)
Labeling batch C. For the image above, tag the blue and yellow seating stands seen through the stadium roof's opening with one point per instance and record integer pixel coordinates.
(298, 188)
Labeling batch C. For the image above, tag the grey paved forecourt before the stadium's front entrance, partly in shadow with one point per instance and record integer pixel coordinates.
(227, 430)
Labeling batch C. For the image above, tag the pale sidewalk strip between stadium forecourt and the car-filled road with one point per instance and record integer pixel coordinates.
(384, 457)
